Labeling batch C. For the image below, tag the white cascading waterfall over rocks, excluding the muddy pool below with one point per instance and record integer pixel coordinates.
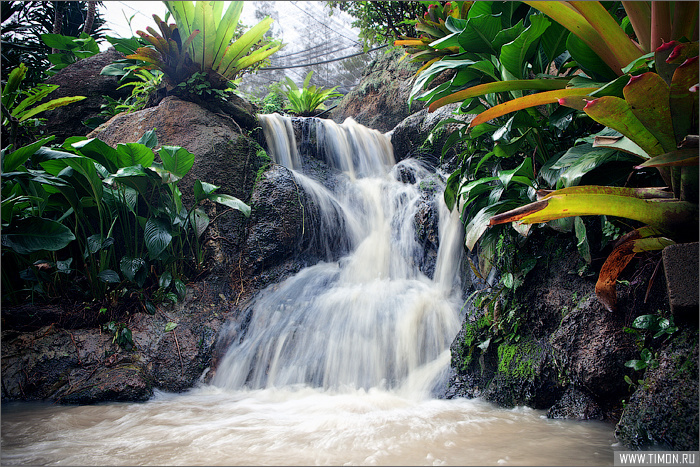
(371, 319)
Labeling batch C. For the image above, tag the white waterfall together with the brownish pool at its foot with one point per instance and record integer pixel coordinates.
(340, 364)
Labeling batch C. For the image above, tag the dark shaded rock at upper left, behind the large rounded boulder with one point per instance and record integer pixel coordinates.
(82, 78)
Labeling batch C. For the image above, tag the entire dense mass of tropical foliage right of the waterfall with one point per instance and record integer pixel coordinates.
(543, 79)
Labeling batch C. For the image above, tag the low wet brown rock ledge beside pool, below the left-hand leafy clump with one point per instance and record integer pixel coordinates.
(86, 366)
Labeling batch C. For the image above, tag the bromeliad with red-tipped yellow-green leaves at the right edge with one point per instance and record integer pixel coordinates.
(657, 121)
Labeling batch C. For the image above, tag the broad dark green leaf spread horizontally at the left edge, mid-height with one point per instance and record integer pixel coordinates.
(32, 234)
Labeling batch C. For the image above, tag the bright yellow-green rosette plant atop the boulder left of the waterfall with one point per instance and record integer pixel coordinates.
(202, 40)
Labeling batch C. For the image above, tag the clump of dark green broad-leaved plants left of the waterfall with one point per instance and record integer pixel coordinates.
(90, 211)
